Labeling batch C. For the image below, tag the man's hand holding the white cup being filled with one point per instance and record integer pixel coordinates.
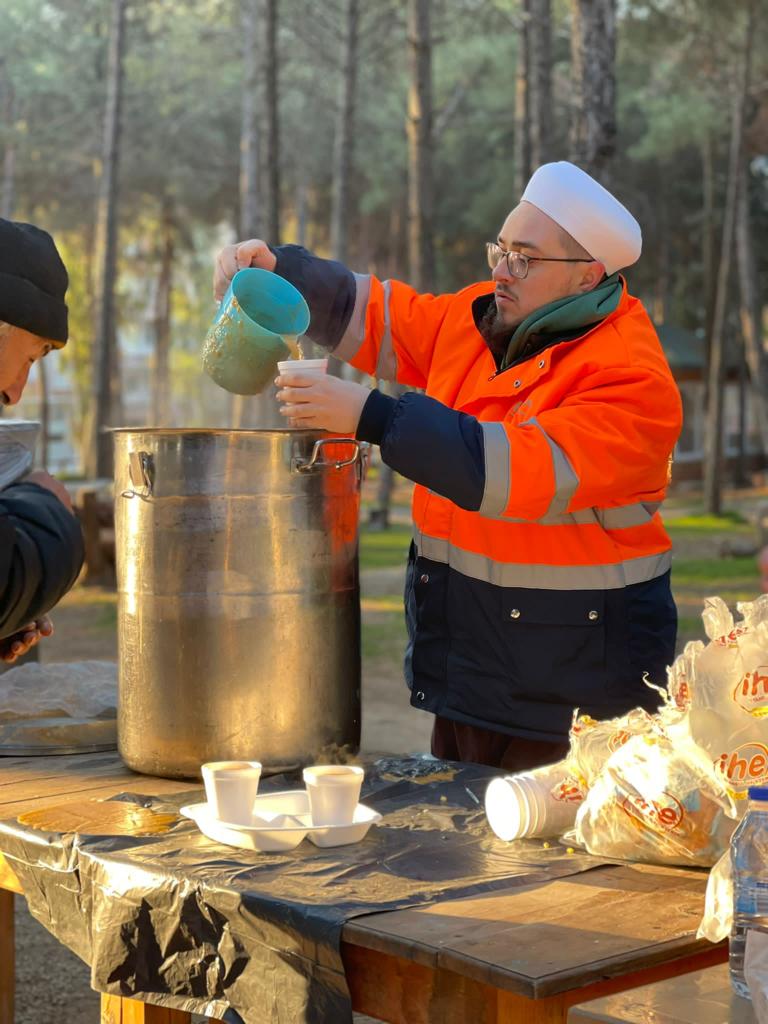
(321, 403)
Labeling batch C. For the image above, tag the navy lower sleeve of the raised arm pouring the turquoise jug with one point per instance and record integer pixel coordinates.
(328, 288)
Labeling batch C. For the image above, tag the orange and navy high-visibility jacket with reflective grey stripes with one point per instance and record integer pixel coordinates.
(540, 573)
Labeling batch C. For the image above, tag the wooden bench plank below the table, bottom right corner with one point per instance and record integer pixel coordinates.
(699, 998)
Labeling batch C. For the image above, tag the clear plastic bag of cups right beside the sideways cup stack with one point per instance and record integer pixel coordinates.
(658, 800)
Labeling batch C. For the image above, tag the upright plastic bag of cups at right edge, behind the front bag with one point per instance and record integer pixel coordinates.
(726, 688)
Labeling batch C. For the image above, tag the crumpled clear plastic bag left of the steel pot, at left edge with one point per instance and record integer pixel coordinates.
(69, 690)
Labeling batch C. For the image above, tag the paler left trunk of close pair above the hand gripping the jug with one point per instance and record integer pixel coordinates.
(250, 212)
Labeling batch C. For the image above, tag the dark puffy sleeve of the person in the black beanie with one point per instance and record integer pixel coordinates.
(41, 554)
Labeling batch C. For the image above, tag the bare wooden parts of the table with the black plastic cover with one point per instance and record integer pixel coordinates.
(522, 955)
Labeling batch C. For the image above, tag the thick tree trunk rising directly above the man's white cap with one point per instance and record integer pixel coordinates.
(593, 49)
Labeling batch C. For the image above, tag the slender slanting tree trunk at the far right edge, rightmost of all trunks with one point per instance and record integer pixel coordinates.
(751, 308)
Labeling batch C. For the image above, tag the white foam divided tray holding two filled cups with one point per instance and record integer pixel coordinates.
(280, 822)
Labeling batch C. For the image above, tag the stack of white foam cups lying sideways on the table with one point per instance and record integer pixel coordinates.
(540, 803)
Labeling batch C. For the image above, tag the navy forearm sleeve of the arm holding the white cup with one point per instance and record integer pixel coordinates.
(430, 444)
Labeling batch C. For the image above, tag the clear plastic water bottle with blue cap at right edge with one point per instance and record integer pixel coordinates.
(750, 864)
